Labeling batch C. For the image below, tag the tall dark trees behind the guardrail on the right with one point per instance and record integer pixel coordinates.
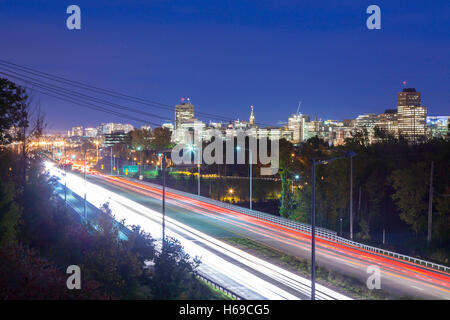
(391, 188)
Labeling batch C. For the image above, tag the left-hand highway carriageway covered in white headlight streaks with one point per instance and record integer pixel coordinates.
(245, 275)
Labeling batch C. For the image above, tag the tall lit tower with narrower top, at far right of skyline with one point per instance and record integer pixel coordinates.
(411, 115)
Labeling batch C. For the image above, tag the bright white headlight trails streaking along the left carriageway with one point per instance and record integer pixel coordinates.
(149, 220)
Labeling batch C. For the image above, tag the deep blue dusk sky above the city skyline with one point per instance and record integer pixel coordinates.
(226, 55)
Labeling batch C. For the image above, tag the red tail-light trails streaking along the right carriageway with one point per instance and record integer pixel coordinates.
(350, 254)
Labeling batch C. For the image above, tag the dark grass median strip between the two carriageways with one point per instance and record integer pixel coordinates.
(347, 285)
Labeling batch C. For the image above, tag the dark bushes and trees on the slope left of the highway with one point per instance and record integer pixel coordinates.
(40, 238)
